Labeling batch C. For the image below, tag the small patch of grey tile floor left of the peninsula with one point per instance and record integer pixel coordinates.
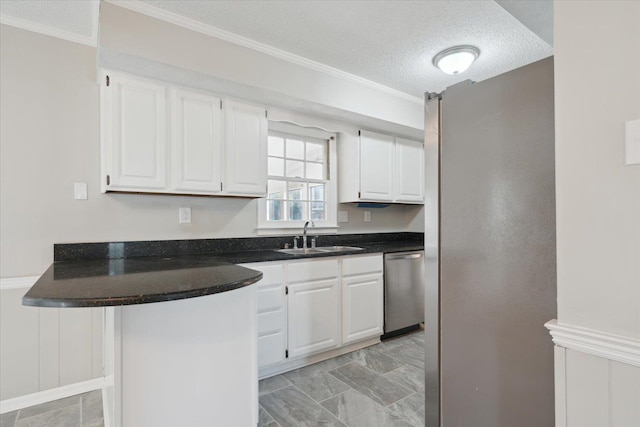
(83, 410)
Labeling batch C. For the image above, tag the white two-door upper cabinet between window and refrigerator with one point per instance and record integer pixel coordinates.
(373, 167)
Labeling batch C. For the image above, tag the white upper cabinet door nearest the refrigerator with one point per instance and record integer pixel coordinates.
(409, 171)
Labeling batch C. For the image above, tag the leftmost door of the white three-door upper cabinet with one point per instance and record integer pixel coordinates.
(135, 134)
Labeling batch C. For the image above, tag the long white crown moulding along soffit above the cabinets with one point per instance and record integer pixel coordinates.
(193, 25)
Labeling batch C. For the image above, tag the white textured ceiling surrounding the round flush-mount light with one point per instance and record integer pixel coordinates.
(388, 42)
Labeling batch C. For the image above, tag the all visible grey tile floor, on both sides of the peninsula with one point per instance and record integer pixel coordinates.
(381, 385)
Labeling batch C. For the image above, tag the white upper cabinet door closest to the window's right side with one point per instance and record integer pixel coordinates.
(376, 166)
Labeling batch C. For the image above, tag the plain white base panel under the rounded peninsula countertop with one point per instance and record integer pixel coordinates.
(190, 362)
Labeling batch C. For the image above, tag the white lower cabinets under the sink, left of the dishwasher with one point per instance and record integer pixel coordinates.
(311, 306)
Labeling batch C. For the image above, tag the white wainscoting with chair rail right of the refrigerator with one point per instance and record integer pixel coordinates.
(597, 378)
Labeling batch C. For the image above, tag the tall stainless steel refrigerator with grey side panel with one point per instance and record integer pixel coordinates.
(490, 251)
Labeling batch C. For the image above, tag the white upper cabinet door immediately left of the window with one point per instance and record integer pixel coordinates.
(245, 149)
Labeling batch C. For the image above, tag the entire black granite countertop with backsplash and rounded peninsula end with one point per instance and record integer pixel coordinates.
(123, 273)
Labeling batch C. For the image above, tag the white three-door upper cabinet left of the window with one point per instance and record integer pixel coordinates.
(216, 146)
